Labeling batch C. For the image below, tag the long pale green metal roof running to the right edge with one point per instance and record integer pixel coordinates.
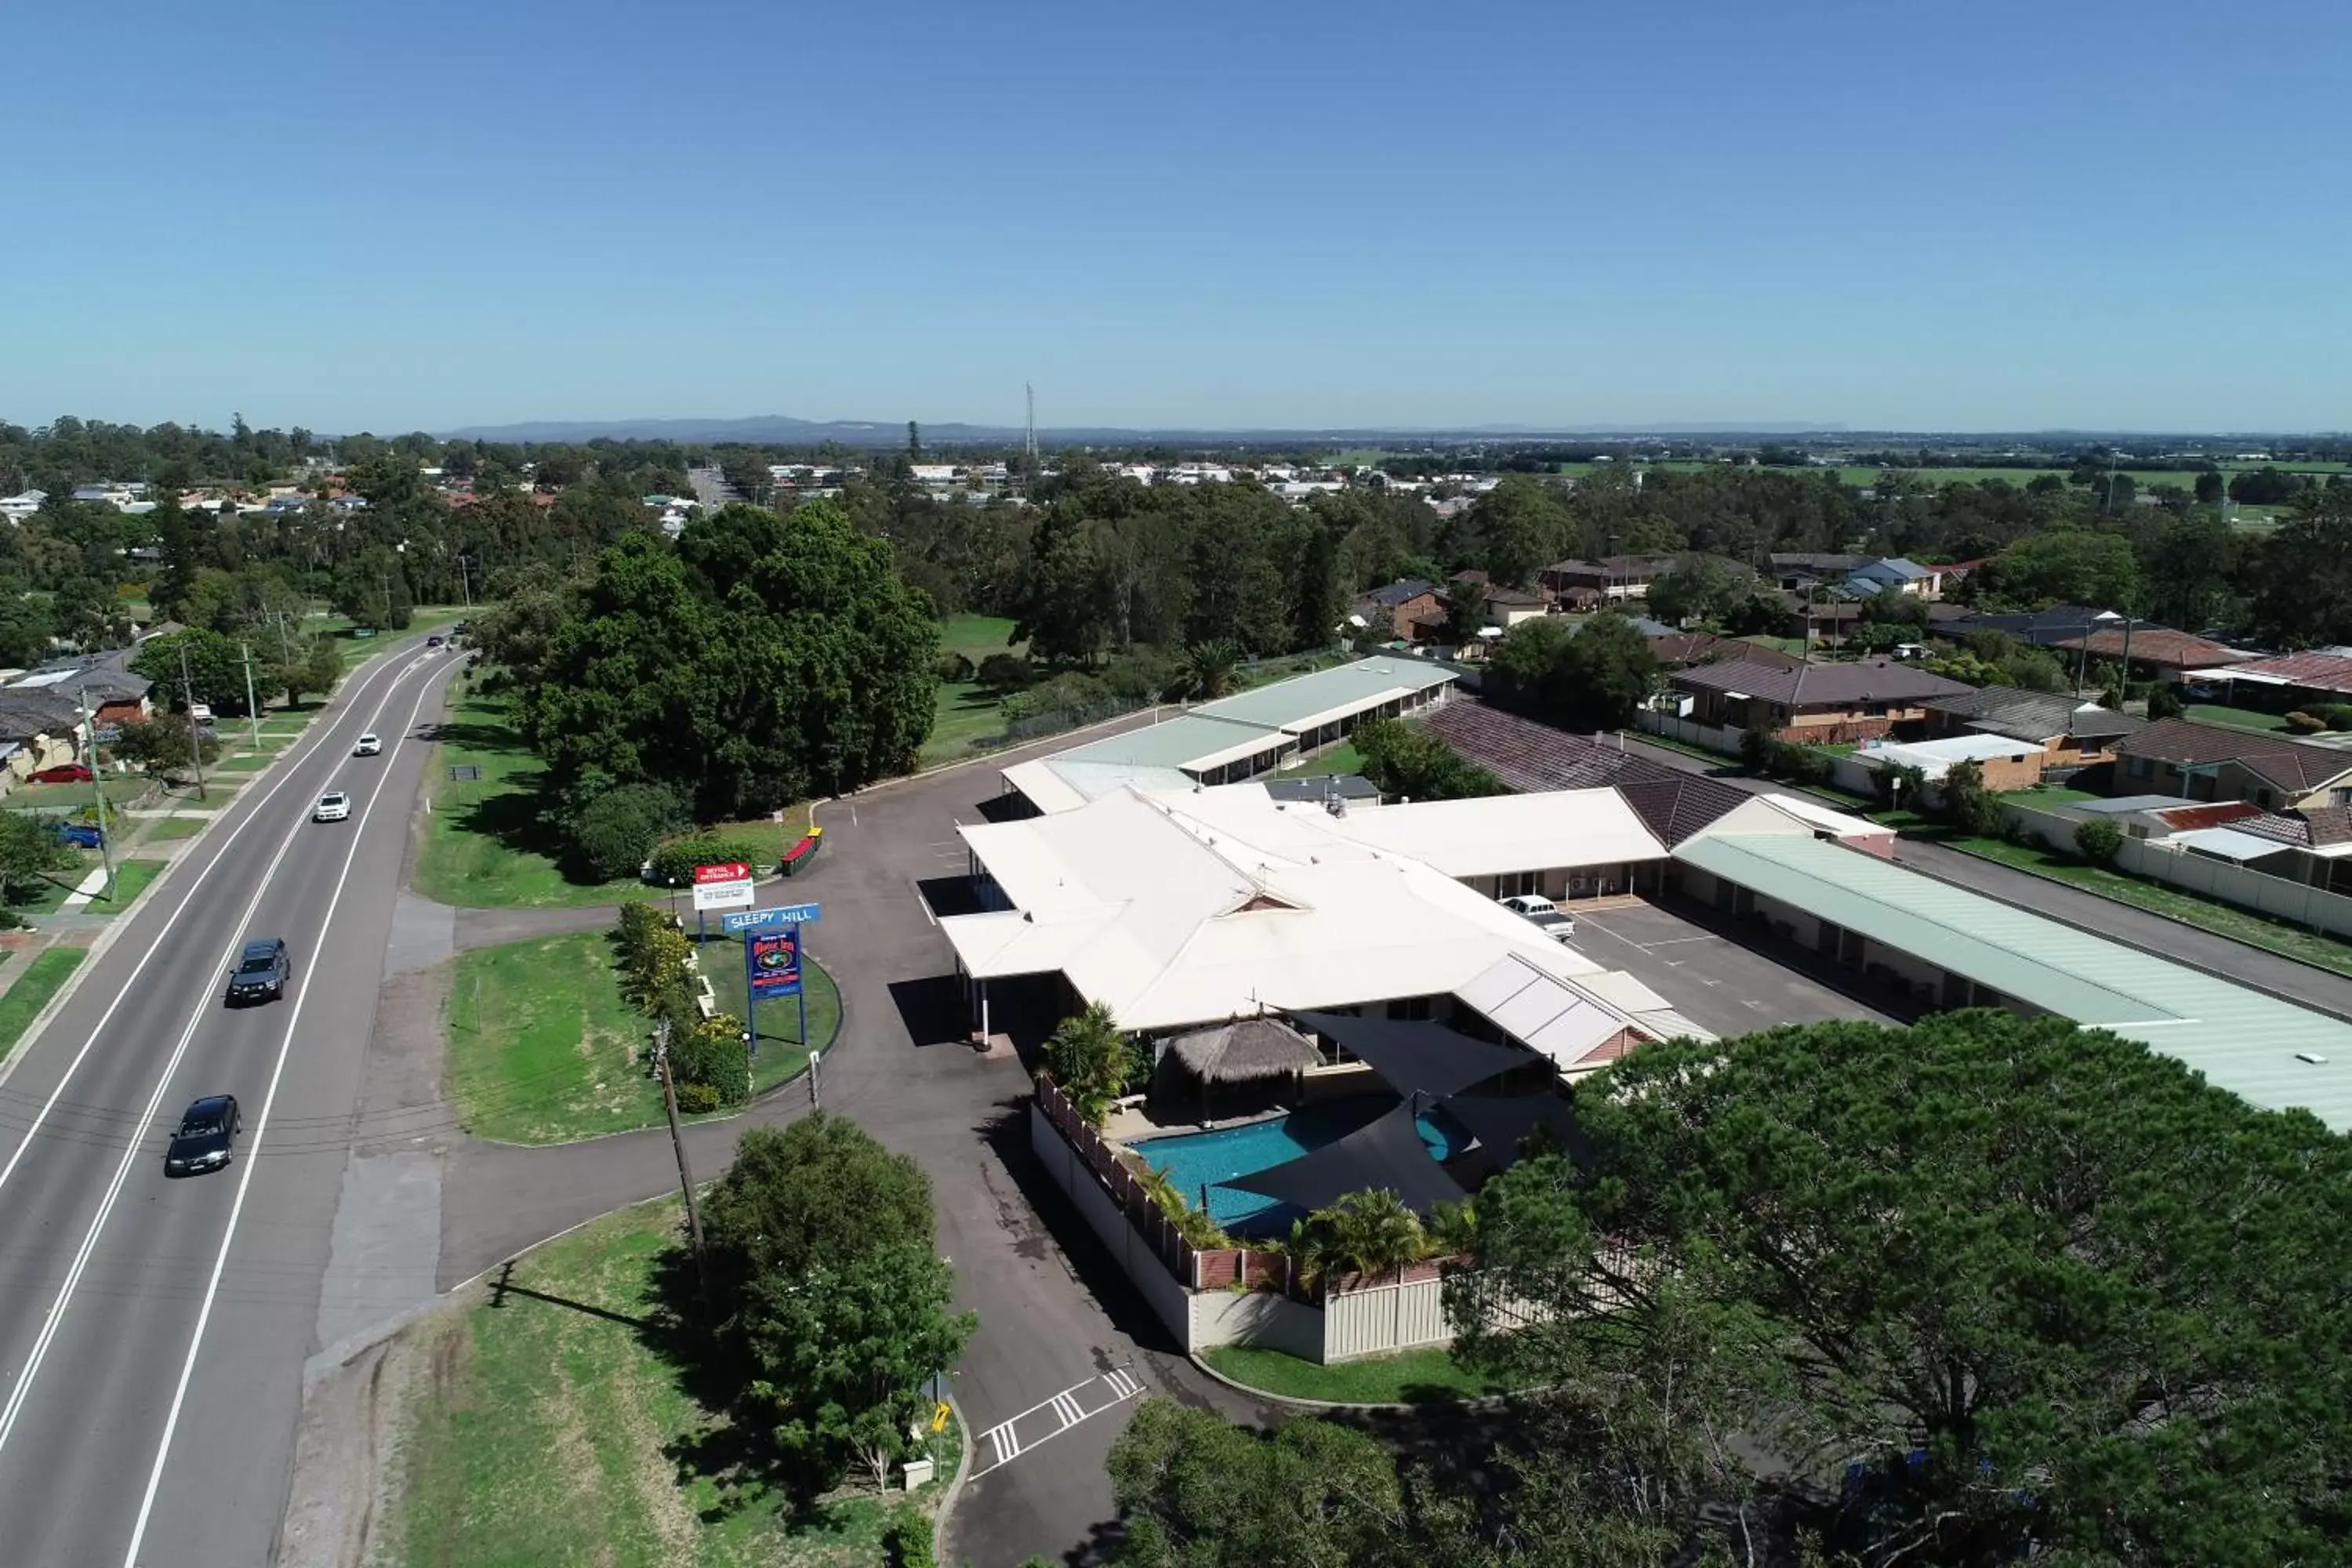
(2240, 1040)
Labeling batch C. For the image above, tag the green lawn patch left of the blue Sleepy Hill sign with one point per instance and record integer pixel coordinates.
(542, 1047)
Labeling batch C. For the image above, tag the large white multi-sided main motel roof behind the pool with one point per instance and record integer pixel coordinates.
(1203, 906)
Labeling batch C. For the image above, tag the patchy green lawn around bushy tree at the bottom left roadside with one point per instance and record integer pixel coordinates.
(554, 1423)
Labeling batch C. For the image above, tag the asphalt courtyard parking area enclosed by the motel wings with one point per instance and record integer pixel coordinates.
(1711, 979)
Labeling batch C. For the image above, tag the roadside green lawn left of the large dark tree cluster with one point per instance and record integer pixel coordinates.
(486, 845)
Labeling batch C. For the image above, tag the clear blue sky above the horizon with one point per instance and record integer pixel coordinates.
(1887, 215)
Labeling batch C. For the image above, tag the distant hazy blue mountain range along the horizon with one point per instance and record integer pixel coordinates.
(784, 431)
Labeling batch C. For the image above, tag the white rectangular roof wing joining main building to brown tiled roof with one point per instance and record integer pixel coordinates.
(1509, 833)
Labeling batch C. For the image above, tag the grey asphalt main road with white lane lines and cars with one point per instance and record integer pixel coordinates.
(154, 1332)
